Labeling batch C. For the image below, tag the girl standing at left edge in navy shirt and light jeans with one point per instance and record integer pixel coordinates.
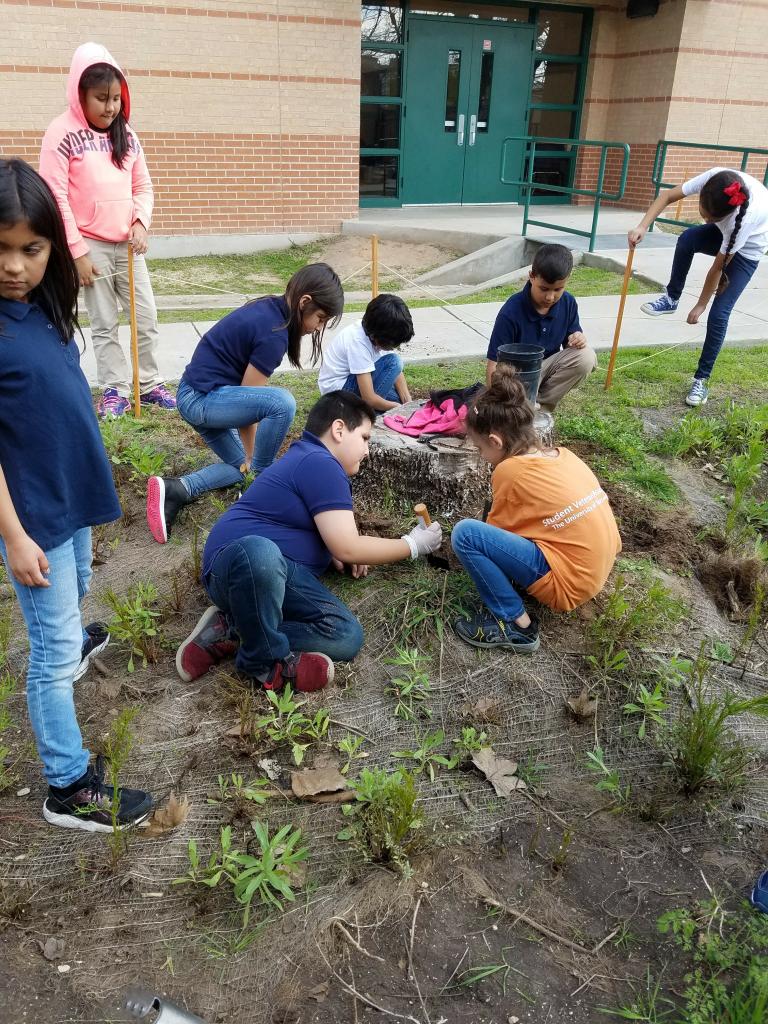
(56, 484)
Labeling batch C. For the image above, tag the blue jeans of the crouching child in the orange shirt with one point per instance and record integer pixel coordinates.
(498, 562)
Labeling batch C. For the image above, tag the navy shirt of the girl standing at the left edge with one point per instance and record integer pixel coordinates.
(51, 447)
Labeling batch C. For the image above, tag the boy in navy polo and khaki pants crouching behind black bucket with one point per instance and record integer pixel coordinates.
(545, 315)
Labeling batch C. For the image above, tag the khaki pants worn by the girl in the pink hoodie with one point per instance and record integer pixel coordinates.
(111, 260)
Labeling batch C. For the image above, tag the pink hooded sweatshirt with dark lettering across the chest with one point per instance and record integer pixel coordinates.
(98, 200)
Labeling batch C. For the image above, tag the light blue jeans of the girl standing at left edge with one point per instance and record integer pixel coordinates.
(55, 628)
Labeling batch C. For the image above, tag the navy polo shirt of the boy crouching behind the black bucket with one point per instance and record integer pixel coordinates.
(519, 323)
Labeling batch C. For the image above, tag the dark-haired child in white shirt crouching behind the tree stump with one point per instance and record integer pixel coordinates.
(363, 358)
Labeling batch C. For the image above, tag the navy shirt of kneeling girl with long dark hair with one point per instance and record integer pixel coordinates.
(255, 334)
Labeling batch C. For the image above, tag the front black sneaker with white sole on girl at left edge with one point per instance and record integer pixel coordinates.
(88, 804)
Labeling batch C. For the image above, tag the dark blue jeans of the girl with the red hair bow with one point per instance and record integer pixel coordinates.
(709, 239)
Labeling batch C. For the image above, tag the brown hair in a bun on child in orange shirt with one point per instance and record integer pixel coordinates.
(503, 409)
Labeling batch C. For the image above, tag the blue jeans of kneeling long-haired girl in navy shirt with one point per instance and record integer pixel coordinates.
(218, 415)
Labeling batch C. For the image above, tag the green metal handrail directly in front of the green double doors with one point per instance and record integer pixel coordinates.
(599, 194)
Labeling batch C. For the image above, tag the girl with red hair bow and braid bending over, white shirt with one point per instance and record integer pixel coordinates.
(735, 208)
